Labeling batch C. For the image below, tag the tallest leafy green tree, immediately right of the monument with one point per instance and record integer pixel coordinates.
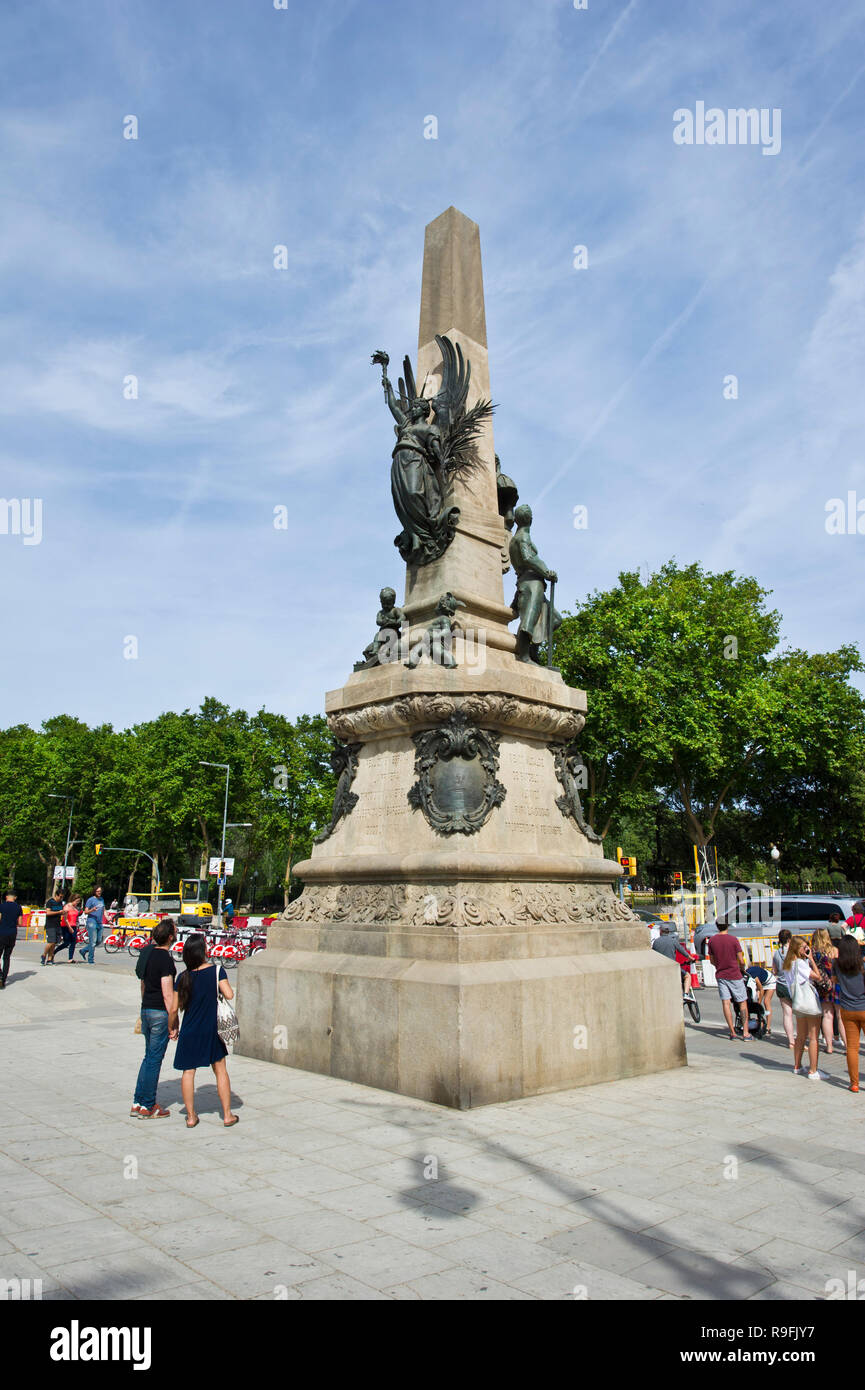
(679, 703)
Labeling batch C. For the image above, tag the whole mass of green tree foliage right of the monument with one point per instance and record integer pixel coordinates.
(696, 711)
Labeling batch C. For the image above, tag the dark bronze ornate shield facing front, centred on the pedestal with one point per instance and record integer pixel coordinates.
(457, 786)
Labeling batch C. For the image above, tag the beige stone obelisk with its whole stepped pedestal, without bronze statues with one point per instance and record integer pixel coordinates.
(458, 938)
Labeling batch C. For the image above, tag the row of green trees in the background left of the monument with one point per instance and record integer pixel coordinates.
(145, 789)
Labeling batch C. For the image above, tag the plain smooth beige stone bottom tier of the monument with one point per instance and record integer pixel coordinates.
(464, 1018)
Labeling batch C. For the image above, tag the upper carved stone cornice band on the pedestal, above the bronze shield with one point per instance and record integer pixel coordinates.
(414, 711)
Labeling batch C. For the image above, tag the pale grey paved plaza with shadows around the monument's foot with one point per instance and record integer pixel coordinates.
(697, 1184)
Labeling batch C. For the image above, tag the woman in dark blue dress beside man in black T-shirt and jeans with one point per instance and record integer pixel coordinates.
(200, 1043)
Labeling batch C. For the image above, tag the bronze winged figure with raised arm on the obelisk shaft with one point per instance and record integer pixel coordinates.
(432, 452)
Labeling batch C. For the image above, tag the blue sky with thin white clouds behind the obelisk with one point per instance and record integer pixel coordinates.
(261, 127)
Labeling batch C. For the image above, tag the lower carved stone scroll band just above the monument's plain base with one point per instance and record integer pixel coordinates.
(464, 906)
